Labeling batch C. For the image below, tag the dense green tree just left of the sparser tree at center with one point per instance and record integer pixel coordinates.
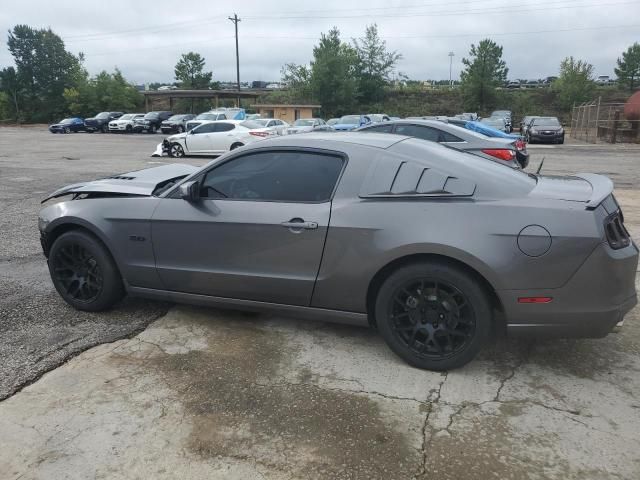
(333, 74)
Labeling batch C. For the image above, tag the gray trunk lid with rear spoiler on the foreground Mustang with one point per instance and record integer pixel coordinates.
(588, 188)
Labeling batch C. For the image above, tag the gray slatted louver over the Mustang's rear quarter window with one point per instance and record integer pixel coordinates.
(394, 178)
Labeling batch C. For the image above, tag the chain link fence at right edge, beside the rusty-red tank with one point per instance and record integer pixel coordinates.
(597, 122)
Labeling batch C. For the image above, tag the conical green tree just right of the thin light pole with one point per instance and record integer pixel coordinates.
(484, 71)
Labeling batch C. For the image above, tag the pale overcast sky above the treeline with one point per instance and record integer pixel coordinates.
(144, 39)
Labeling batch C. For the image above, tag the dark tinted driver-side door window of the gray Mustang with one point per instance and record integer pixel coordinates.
(275, 176)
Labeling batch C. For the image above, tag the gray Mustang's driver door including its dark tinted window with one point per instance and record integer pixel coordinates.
(256, 233)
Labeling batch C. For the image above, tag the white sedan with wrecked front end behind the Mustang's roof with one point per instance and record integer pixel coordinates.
(213, 138)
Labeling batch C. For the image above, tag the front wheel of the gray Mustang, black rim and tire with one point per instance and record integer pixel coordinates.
(84, 273)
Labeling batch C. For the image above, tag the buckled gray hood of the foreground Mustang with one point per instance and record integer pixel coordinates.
(139, 182)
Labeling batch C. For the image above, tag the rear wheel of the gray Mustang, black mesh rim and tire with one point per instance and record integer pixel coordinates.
(434, 315)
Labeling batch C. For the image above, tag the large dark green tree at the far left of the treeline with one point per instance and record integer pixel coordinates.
(44, 68)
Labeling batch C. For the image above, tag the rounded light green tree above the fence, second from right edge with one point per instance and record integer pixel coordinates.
(575, 82)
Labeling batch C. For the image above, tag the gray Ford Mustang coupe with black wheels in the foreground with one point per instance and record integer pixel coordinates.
(432, 246)
